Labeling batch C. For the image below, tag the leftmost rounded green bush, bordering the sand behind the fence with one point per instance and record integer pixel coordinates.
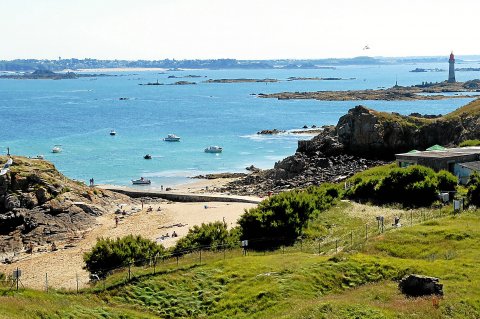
(108, 254)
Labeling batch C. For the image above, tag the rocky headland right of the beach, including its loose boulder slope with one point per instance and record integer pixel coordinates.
(361, 139)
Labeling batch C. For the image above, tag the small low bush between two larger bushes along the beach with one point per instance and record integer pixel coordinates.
(211, 236)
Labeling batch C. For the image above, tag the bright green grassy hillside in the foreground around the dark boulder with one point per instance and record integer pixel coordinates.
(358, 283)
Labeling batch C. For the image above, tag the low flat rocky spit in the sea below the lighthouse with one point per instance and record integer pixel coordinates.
(395, 93)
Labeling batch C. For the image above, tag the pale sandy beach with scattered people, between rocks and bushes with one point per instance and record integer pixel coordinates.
(62, 267)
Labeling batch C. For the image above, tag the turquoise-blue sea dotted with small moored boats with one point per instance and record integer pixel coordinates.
(78, 115)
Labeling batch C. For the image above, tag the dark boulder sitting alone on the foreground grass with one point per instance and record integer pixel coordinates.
(418, 285)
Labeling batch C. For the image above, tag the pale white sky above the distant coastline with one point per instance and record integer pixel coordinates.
(241, 29)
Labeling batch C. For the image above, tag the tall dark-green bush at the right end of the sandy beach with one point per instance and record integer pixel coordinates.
(281, 218)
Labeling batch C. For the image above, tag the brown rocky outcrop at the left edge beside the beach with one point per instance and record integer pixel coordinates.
(40, 205)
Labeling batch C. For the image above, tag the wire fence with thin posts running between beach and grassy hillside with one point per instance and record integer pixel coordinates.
(351, 239)
